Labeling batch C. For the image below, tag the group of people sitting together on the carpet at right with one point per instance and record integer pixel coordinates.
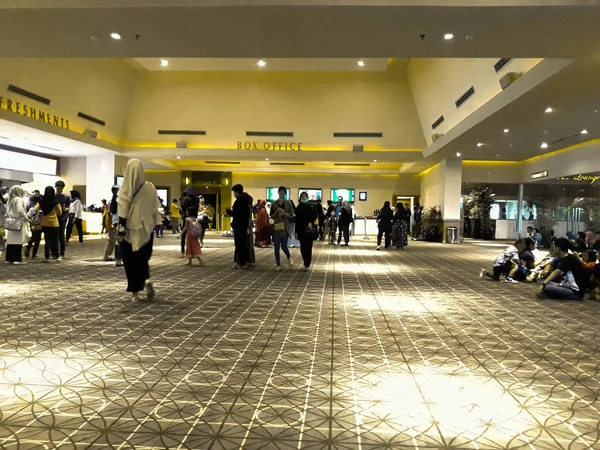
(567, 272)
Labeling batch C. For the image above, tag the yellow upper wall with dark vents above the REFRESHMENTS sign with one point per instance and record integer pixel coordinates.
(100, 88)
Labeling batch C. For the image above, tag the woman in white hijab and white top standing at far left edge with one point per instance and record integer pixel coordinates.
(15, 209)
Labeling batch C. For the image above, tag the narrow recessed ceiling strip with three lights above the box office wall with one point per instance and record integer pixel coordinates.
(273, 64)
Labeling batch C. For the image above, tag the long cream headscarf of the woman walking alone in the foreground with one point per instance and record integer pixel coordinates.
(138, 203)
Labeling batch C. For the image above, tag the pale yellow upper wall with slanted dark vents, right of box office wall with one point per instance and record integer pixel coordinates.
(437, 83)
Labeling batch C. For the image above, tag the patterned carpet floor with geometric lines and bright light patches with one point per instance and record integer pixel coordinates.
(371, 350)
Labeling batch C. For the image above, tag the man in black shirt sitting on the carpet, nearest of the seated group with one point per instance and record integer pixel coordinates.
(574, 278)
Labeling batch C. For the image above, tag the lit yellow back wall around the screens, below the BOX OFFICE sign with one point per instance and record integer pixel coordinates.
(379, 188)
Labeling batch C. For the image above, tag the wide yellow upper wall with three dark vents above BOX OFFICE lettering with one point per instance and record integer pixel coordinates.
(312, 105)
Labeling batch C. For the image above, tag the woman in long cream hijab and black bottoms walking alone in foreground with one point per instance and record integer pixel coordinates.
(138, 210)
